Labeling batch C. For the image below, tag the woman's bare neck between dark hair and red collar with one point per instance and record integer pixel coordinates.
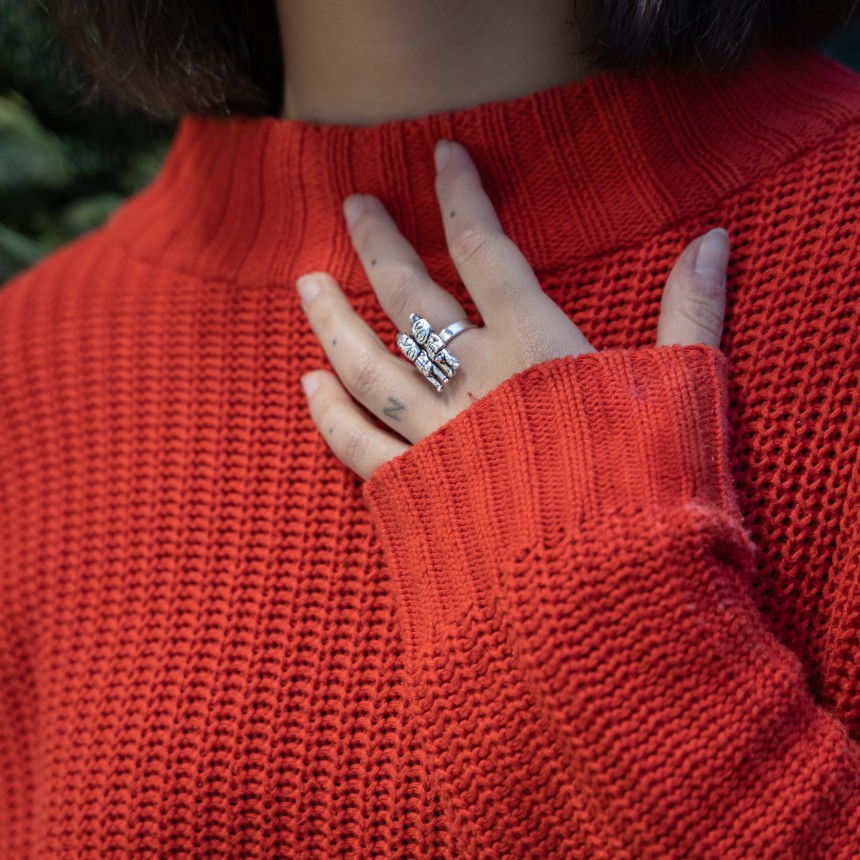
(364, 62)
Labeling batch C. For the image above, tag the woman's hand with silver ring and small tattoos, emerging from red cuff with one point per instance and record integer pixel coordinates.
(522, 325)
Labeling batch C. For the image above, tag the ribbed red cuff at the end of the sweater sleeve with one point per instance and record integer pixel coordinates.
(558, 446)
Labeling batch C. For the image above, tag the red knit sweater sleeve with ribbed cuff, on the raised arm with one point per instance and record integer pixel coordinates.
(592, 674)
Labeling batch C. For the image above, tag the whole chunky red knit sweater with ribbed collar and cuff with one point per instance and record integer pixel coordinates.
(609, 611)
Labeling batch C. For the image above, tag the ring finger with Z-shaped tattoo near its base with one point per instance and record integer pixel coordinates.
(387, 386)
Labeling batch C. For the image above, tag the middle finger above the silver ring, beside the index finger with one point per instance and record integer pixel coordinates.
(398, 275)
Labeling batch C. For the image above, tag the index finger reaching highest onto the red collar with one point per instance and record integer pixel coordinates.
(499, 278)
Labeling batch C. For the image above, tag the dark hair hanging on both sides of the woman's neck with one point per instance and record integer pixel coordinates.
(224, 56)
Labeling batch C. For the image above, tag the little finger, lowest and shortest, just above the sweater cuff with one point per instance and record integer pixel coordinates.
(353, 438)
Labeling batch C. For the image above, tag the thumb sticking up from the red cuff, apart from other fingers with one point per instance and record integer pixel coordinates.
(692, 309)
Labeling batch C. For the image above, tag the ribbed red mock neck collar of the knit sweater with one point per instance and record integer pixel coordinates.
(574, 170)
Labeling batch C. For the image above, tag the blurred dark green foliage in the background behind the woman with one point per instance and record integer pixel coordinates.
(64, 169)
